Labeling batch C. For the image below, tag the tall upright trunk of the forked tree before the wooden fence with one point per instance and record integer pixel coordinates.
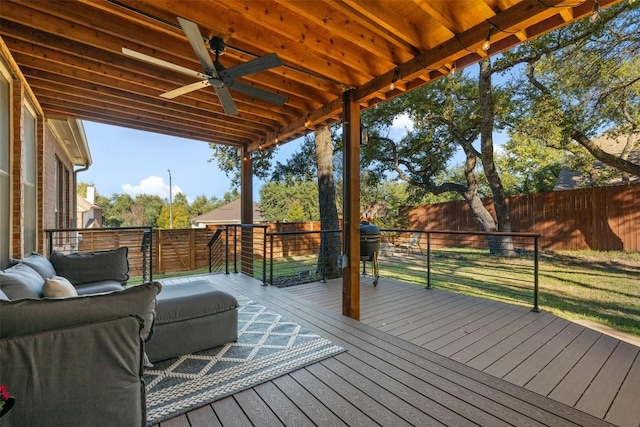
(487, 112)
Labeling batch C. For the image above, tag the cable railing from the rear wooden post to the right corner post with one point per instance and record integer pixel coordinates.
(498, 265)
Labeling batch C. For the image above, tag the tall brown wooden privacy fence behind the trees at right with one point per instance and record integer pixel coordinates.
(601, 218)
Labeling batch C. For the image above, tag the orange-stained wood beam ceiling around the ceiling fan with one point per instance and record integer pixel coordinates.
(71, 55)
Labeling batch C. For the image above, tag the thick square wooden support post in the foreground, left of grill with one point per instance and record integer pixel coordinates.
(351, 203)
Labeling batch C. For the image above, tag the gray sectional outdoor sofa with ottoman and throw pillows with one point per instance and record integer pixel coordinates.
(74, 339)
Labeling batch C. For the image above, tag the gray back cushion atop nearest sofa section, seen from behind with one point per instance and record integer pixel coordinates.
(30, 316)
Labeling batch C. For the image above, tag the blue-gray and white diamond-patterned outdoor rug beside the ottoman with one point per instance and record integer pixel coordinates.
(269, 345)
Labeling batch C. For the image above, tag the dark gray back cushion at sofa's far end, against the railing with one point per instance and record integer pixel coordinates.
(93, 266)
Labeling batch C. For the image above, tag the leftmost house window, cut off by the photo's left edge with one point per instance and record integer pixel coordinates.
(5, 136)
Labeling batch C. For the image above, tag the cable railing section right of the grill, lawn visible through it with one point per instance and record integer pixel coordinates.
(497, 264)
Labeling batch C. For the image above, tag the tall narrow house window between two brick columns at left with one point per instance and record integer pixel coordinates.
(29, 187)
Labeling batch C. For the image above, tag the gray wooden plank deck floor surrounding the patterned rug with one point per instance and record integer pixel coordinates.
(431, 357)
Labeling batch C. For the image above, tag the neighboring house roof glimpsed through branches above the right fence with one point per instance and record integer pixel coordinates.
(569, 179)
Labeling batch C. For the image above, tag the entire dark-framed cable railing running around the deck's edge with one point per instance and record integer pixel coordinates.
(496, 265)
